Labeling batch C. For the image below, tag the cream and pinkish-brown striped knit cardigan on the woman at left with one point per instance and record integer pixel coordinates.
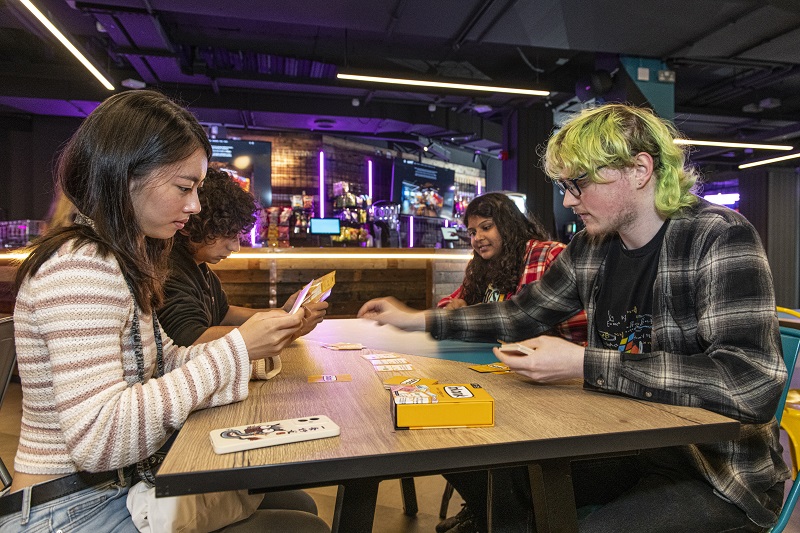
(83, 408)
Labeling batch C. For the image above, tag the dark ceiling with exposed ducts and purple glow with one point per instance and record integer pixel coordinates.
(269, 65)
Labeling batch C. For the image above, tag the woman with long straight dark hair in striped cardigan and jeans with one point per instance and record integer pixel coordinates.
(103, 387)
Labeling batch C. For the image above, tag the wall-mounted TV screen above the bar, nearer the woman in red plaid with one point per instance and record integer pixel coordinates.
(423, 190)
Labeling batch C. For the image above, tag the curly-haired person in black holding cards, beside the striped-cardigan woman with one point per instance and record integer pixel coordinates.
(196, 309)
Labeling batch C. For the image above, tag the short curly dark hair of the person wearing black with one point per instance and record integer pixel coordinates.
(226, 210)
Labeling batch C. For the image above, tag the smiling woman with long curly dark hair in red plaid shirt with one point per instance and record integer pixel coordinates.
(511, 251)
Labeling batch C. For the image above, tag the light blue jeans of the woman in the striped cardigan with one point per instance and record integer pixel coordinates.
(98, 509)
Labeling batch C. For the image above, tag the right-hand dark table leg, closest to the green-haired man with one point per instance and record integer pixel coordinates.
(553, 496)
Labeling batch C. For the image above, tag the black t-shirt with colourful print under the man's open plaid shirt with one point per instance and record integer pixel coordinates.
(624, 309)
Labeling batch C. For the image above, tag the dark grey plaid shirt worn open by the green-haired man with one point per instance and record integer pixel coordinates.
(715, 345)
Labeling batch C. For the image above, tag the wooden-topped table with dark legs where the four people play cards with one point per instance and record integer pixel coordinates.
(543, 426)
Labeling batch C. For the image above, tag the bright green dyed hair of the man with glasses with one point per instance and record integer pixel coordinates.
(611, 136)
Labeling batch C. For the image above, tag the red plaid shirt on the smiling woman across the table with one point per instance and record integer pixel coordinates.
(539, 255)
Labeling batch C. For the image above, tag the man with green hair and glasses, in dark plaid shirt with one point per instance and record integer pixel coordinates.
(681, 310)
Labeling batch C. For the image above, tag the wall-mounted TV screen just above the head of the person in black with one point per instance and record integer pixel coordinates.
(250, 164)
